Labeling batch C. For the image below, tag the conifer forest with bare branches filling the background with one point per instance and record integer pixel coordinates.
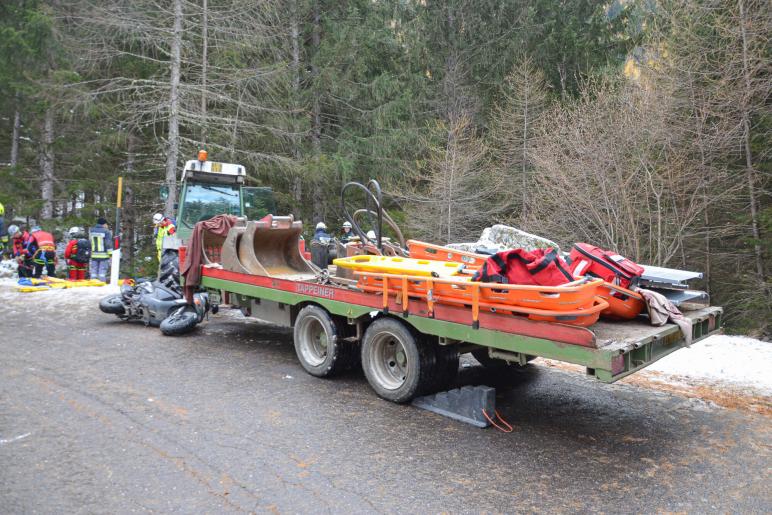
(642, 126)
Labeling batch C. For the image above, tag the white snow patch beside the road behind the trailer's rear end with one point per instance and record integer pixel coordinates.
(737, 361)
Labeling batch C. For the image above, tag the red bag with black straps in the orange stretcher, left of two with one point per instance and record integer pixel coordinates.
(540, 267)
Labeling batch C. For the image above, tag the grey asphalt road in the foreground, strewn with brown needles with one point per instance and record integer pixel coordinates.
(100, 416)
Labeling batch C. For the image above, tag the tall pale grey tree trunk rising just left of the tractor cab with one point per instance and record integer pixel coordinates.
(174, 111)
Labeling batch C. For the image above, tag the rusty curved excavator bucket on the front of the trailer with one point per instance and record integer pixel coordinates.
(267, 247)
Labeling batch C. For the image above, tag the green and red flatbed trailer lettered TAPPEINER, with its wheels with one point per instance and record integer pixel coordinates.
(409, 347)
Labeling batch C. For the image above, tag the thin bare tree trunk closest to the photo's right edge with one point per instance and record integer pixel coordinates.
(750, 175)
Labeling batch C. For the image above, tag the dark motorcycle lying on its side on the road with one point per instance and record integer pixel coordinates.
(157, 305)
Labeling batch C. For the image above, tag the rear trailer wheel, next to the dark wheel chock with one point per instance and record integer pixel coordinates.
(397, 365)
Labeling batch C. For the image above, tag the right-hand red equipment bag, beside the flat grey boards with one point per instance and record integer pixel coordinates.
(593, 261)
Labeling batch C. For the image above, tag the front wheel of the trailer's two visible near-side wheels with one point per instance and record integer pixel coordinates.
(319, 343)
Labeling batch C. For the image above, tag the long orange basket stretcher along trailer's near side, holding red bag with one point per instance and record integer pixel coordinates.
(575, 303)
